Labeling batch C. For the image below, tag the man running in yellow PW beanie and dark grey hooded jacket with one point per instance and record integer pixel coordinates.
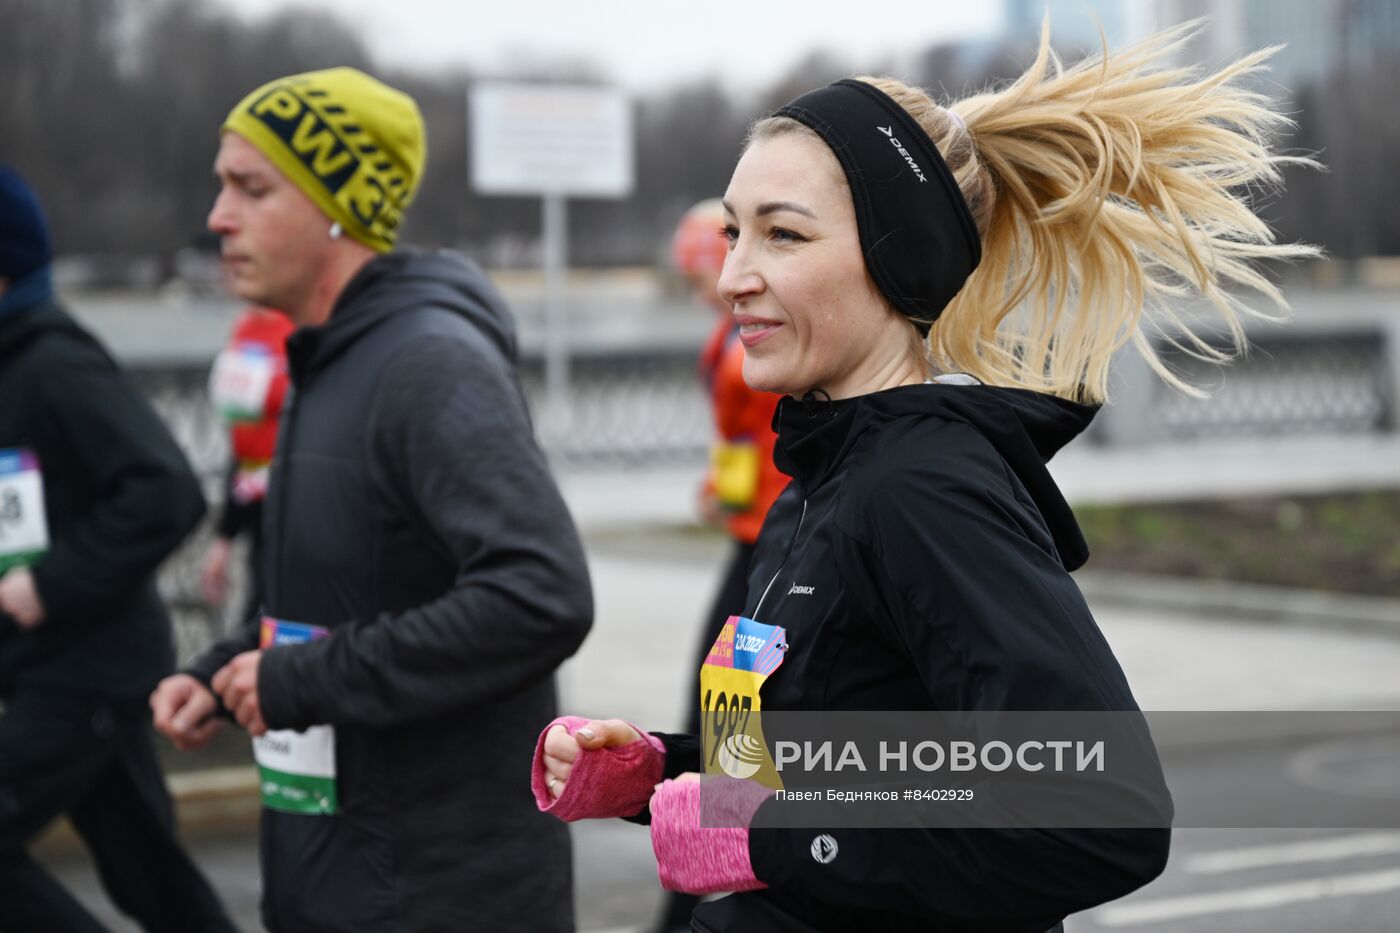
(423, 576)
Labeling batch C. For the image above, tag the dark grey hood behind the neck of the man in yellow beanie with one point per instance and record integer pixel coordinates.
(398, 281)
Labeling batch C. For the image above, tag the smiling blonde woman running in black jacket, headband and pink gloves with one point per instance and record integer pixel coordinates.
(939, 291)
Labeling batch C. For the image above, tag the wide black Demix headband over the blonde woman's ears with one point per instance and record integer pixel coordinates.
(919, 237)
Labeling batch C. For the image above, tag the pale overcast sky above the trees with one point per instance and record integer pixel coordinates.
(642, 44)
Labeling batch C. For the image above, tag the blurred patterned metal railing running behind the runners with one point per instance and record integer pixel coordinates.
(633, 410)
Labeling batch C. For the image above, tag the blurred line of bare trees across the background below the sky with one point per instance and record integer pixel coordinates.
(113, 109)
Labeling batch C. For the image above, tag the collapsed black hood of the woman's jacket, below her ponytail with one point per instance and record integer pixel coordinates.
(1025, 428)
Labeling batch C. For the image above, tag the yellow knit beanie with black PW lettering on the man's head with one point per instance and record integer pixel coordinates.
(353, 145)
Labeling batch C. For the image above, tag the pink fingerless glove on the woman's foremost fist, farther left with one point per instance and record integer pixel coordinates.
(604, 782)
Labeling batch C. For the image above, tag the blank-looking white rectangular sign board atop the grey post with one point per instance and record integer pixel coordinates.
(551, 139)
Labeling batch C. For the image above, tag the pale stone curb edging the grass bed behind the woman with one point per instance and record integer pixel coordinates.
(1245, 602)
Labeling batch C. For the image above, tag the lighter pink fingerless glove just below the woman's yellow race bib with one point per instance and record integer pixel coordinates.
(706, 859)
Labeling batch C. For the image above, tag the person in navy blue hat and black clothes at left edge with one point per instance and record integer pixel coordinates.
(94, 494)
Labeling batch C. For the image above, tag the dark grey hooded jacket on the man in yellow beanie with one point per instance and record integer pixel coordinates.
(412, 513)
